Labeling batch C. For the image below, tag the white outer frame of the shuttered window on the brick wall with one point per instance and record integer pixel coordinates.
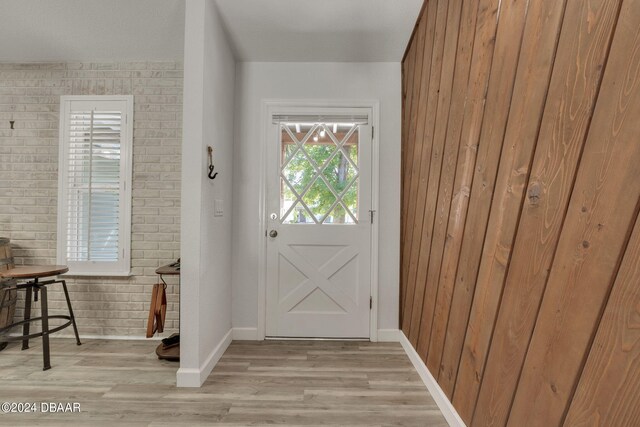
(122, 267)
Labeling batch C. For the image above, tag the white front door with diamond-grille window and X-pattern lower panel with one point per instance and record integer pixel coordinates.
(319, 226)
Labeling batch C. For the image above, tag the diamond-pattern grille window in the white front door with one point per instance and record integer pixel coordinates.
(319, 173)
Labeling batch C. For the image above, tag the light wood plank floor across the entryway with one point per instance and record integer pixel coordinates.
(255, 383)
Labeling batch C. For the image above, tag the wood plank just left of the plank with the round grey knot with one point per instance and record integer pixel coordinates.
(536, 58)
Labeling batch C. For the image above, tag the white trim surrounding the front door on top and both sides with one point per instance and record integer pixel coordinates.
(269, 107)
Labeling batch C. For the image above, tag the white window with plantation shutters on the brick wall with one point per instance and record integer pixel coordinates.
(94, 206)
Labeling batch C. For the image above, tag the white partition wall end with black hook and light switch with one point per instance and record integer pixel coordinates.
(206, 245)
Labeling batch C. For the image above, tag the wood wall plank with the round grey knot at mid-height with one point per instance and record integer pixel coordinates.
(586, 33)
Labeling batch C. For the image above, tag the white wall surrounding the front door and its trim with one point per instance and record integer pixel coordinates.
(326, 81)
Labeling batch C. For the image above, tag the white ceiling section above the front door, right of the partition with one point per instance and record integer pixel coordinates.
(319, 30)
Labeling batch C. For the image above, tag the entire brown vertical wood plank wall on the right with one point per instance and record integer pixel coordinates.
(520, 239)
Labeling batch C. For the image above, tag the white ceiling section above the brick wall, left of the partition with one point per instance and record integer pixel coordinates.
(89, 30)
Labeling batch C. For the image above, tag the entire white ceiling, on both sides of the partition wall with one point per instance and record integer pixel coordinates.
(260, 30)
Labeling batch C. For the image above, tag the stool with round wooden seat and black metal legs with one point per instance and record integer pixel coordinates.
(33, 285)
